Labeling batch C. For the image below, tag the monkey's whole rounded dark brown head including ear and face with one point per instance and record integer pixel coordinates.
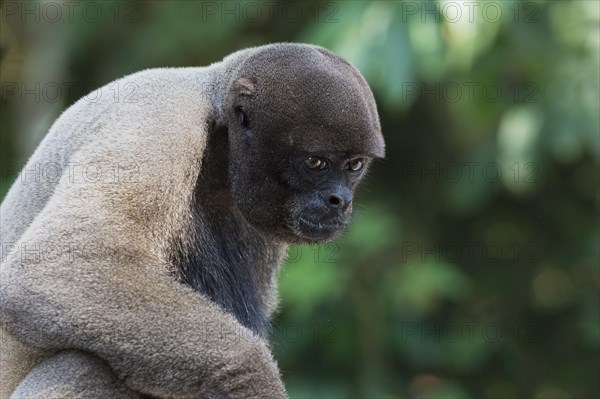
(303, 129)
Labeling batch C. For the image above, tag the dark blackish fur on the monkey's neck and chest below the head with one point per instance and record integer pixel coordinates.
(220, 254)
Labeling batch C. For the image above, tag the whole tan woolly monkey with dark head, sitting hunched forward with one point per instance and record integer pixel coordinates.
(168, 280)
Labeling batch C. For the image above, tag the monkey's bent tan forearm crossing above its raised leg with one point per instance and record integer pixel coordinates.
(158, 340)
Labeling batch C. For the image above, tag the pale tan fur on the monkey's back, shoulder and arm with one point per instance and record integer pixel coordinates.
(157, 140)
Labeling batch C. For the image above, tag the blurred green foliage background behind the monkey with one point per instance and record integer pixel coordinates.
(472, 268)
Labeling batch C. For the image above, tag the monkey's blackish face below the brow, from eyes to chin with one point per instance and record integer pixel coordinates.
(305, 199)
